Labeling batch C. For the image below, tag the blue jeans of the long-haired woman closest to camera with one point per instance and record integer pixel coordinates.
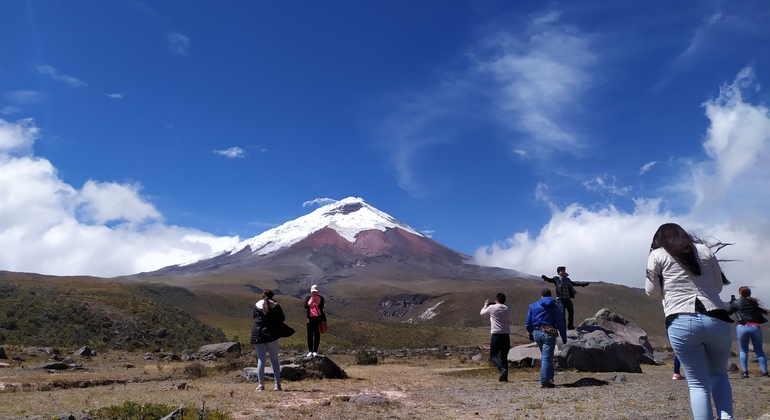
(702, 344)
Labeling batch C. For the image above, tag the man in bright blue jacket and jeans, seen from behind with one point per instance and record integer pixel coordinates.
(544, 323)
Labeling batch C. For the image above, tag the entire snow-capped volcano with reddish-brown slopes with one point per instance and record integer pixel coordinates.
(347, 239)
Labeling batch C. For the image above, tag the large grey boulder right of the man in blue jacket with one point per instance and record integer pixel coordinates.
(605, 343)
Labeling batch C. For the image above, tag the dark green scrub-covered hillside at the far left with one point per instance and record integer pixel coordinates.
(66, 312)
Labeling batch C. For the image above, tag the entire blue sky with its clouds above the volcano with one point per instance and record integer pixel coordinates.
(134, 134)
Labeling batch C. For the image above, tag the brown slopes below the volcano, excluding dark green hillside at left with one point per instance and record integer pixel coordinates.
(394, 307)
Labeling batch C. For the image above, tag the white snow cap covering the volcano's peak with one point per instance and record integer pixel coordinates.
(347, 217)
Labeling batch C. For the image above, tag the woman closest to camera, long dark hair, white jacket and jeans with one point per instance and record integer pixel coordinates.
(686, 275)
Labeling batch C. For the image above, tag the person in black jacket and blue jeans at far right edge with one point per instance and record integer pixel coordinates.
(750, 315)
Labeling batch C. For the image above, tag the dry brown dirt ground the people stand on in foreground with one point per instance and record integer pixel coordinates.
(452, 387)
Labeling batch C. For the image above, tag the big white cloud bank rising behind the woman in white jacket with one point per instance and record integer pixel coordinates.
(730, 202)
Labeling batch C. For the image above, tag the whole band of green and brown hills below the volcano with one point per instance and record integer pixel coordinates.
(390, 308)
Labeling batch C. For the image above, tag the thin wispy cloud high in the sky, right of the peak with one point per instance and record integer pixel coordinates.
(539, 78)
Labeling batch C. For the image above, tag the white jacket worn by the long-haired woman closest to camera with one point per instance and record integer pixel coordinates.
(680, 287)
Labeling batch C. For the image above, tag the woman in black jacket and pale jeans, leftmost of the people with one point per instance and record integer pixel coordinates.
(268, 316)
